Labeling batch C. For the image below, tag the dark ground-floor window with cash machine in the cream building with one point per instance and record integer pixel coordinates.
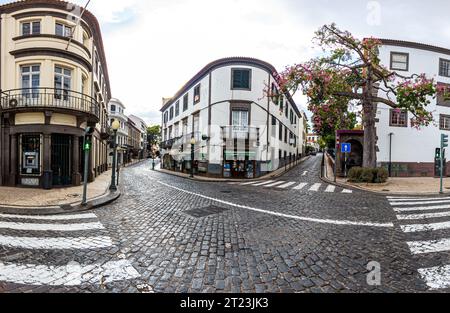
(31, 154)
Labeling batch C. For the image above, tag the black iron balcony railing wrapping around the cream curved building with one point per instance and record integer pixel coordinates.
(49, 98)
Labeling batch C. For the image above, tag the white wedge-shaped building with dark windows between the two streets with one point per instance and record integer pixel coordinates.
(239, 131)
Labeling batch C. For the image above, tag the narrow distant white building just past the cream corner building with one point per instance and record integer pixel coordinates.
(116, 111)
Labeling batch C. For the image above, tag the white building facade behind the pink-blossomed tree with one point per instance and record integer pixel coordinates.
(409, 151)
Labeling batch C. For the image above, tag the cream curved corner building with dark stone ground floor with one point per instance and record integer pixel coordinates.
(54, 83)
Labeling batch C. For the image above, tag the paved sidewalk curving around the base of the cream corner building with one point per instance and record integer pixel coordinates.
(27, 197)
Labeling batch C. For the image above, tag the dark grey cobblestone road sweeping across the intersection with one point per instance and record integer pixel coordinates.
(169, 234)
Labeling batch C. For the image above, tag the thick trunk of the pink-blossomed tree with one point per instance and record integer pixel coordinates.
(370, 134)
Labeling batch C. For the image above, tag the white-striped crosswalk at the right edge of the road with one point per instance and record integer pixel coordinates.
(427, 218)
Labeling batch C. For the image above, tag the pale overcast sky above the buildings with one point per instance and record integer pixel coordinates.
(153, 47)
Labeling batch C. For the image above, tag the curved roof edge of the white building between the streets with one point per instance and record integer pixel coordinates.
(224, 62)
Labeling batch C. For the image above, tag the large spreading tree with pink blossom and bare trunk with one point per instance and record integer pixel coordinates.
(349, 75)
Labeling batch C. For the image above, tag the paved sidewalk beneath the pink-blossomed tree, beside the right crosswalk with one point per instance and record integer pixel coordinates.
(395, 185)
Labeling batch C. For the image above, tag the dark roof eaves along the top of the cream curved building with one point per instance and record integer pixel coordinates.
(88, 17)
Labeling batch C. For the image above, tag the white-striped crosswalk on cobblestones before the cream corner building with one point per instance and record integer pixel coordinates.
(72, 274)
